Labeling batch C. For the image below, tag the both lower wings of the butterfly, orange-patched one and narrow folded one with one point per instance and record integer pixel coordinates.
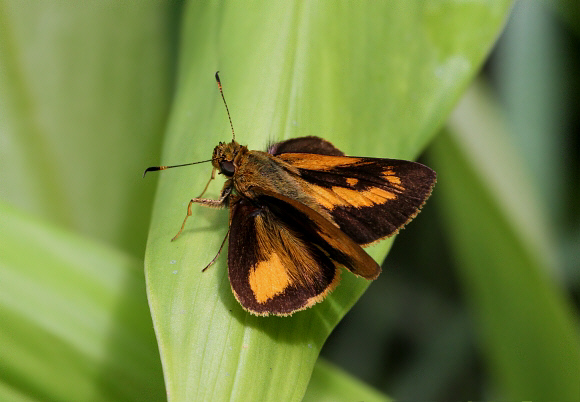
(284, 256)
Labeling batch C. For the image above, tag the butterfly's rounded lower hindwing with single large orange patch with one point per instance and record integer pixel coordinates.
(271, 268)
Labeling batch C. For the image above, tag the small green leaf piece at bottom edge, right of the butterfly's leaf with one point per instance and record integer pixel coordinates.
(328, 383)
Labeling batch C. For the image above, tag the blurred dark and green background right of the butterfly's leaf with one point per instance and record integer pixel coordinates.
(442, 336)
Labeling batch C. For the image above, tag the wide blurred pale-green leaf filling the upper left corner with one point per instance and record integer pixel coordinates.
(84, 94)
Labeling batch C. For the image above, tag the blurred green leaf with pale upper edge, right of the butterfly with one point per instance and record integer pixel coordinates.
(529, 332)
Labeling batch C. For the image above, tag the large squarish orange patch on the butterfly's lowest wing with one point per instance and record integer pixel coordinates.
(268, 279)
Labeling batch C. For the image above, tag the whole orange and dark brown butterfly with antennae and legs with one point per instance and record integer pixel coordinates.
(300, 211)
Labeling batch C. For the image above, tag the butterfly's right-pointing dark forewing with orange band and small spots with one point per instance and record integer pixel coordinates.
(368, 198)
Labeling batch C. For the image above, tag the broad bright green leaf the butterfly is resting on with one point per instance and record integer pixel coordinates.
(374, 78)
